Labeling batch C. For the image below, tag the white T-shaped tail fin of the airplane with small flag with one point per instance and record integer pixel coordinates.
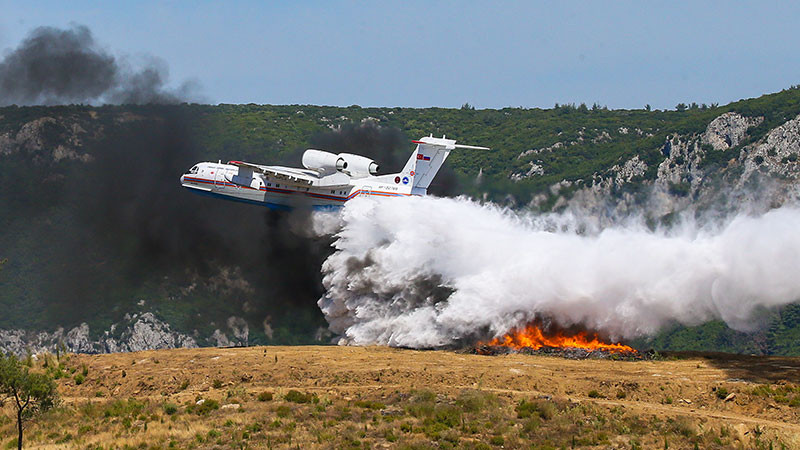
(424, 163)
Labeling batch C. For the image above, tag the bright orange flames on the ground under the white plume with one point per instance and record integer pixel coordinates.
(534, 338)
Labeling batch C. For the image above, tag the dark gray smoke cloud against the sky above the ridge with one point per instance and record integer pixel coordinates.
(64, 66)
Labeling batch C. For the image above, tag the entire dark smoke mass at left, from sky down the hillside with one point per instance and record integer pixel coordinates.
(111, 225)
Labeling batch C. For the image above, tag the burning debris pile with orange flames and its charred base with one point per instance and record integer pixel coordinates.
(536, 339)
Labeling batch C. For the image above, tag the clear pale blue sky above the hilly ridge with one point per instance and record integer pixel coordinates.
(491, 54)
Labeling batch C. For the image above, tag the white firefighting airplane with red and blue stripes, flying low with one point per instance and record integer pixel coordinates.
(327, 181)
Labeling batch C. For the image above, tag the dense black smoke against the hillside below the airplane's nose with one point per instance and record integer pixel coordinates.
(128, 223)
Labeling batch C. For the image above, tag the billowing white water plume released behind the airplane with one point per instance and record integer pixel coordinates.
(429, 272)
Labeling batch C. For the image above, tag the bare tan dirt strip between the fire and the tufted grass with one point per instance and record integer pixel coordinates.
(679, 385)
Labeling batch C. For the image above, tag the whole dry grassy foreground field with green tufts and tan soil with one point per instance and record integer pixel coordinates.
(377, 397)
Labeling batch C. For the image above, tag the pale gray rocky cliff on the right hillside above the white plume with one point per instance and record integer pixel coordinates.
(697, 171)
